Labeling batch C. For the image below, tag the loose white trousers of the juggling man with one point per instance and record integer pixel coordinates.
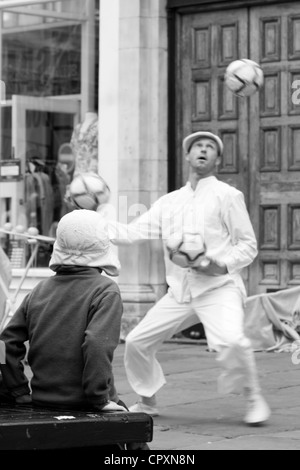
(222, 315)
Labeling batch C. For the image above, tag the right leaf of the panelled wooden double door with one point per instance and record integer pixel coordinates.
(275, 147)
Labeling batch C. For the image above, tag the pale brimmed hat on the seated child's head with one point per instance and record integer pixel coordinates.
(82, 240)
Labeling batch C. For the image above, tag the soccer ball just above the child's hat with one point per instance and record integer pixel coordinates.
(88, 191)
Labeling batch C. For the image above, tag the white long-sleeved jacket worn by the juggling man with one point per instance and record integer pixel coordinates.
(216, 211)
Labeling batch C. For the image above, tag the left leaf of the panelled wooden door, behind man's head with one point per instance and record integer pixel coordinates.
(210, 41)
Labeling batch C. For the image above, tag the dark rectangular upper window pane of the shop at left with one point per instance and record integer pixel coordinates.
(43, 62)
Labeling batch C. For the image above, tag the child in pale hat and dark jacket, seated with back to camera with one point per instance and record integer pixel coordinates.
(71, 321)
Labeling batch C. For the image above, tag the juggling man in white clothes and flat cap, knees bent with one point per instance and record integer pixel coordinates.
(213, 215)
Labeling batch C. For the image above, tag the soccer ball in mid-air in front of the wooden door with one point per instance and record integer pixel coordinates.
(244, 77)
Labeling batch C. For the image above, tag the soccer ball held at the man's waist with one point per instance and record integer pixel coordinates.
(187, 253)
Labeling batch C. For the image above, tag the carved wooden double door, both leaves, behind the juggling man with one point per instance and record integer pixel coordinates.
(261, 134)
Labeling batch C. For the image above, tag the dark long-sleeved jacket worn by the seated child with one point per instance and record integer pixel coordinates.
(72, 321)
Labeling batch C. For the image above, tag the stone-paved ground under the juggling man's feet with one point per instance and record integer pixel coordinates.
(195, 417)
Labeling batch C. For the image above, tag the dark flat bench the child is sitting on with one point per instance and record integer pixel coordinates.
(28, 428)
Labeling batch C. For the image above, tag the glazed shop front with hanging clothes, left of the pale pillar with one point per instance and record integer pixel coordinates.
(43, 46)
